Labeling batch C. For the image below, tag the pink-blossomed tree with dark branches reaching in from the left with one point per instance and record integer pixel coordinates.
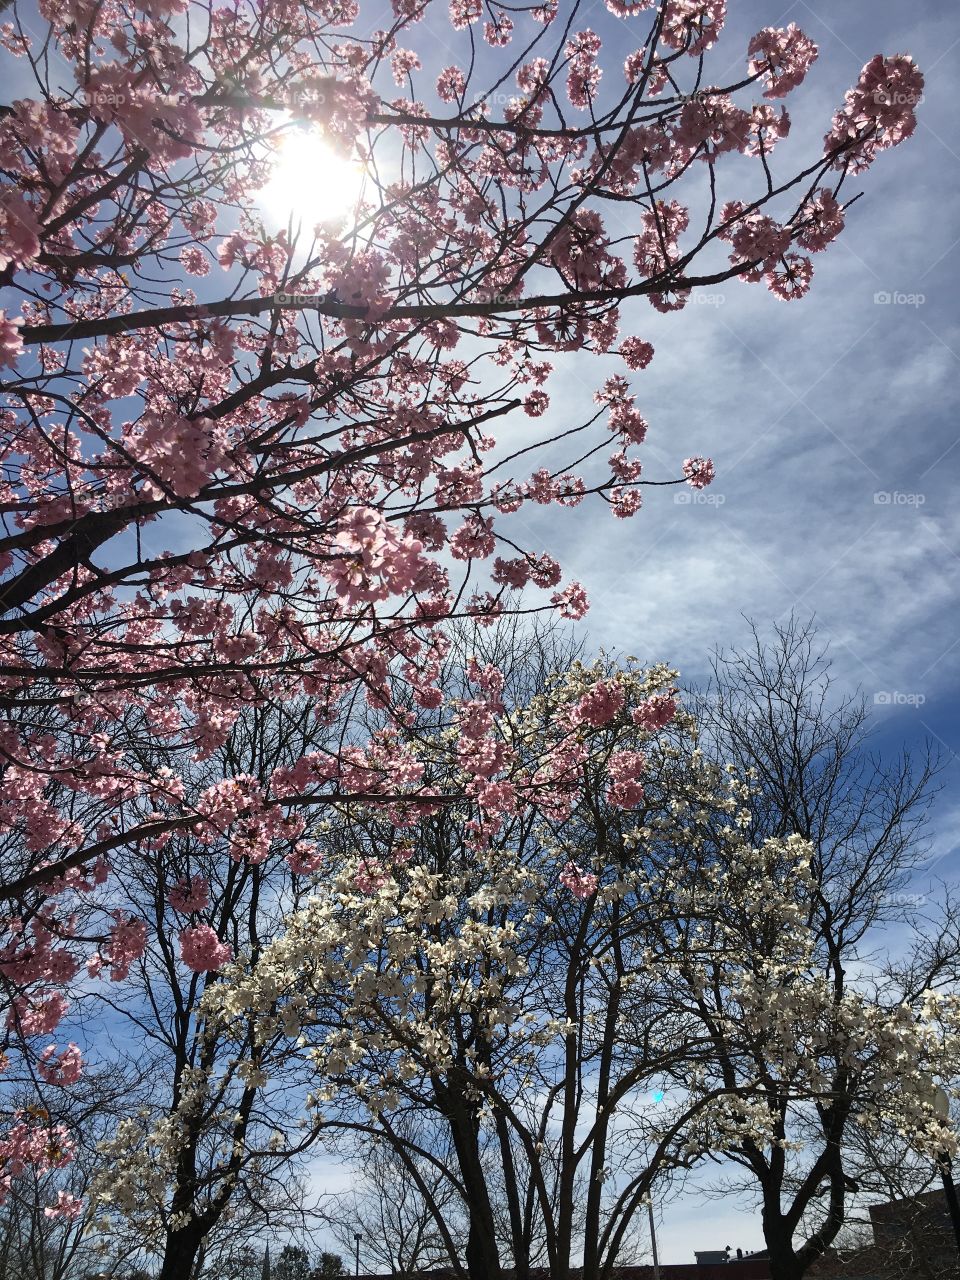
(246, 455)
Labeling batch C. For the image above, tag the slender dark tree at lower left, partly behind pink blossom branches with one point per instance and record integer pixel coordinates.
(190, 1174)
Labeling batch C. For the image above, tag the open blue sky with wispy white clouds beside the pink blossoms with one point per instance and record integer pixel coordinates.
(834, 427)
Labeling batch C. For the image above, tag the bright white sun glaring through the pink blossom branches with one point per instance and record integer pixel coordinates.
(312, 182)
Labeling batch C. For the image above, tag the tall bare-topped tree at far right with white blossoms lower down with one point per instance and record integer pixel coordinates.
(822, 1048)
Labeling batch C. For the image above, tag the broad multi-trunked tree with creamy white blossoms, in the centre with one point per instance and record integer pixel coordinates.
(616, 984)
